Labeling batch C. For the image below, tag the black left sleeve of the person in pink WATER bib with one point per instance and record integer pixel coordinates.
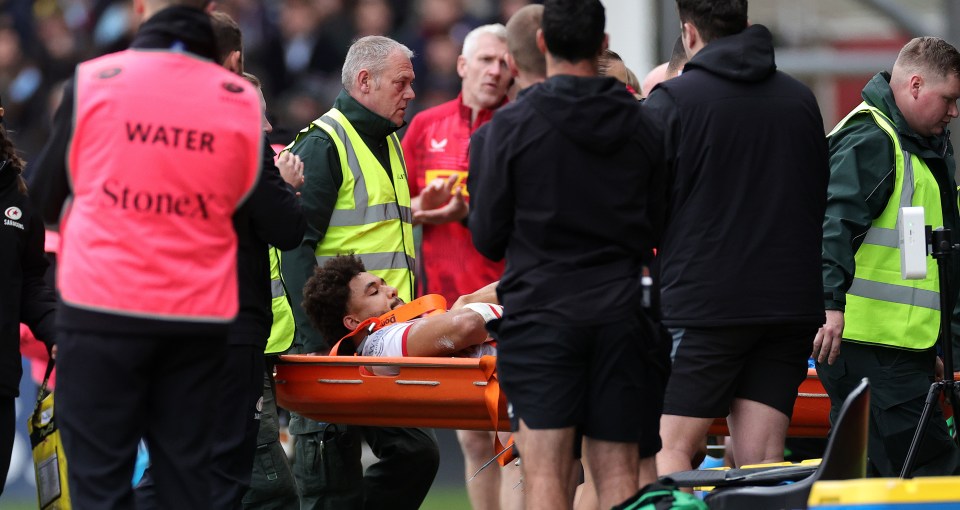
(49, 185)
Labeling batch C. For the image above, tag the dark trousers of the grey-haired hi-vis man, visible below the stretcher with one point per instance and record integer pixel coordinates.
(330, 475)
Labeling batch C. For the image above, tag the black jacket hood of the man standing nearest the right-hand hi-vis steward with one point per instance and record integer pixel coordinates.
(747, 56)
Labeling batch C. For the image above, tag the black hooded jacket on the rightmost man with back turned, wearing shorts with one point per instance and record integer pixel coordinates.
(748, 156)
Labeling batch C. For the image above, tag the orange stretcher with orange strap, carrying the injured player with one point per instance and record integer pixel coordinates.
(454, 393)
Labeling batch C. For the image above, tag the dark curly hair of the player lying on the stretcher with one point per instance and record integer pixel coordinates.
(326, 293)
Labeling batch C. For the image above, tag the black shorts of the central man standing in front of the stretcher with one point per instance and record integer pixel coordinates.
(607, 381)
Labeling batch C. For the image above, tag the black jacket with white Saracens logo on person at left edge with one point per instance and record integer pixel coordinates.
(24, 295)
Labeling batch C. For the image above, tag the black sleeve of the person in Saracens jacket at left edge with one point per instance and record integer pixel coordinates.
(38, 301)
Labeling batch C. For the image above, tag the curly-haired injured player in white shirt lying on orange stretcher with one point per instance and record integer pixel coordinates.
(341, 295)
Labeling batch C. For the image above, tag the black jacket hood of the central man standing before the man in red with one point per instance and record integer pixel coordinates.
(596, 113)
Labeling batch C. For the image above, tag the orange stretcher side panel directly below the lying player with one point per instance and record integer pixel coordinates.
(428, 392)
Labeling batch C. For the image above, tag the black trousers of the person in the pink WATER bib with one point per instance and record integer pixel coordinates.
(113, 390)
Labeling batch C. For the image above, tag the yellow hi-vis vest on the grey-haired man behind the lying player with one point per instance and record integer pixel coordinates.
(372, 217)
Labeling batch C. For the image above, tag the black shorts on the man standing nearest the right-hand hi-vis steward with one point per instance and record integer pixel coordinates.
(713, 366)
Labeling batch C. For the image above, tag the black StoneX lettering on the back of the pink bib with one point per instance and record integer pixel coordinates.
(187, 205)
